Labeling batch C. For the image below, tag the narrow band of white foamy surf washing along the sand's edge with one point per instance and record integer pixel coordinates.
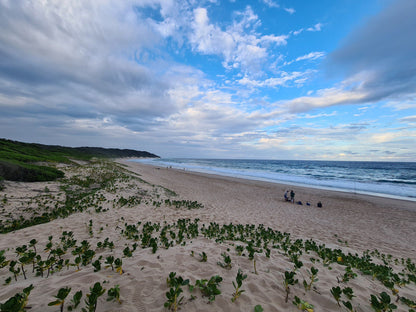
(282, 182)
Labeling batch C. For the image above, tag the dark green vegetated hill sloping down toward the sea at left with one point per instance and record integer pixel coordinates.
(20, 161)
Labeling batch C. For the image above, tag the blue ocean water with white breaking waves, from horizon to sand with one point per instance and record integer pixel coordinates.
(386, 179)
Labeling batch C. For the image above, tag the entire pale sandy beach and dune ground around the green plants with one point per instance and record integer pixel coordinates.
(347, 222)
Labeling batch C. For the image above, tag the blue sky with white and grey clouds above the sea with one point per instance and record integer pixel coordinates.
(277, 79)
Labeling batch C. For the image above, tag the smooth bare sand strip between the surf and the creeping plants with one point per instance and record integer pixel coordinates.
(366, 222)
